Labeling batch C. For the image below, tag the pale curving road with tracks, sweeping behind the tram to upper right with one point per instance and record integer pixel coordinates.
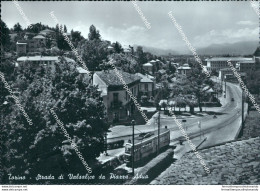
(217, 130)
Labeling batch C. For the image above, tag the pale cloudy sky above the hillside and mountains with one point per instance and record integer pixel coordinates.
(204, 23)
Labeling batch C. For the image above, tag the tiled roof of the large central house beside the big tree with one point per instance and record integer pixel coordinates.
(111, 79)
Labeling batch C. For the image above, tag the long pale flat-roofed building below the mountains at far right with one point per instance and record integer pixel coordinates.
(217, 63)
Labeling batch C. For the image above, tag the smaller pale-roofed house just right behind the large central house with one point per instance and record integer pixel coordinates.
(146, 86)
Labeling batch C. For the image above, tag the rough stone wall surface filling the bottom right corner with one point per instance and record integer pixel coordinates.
(233, 163)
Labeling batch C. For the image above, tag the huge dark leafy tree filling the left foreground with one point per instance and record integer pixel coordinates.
(77, 104)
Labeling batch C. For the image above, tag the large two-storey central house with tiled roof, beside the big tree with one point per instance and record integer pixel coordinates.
(119, 105)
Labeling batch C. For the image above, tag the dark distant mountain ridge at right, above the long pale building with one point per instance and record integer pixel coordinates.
(239, 48)
